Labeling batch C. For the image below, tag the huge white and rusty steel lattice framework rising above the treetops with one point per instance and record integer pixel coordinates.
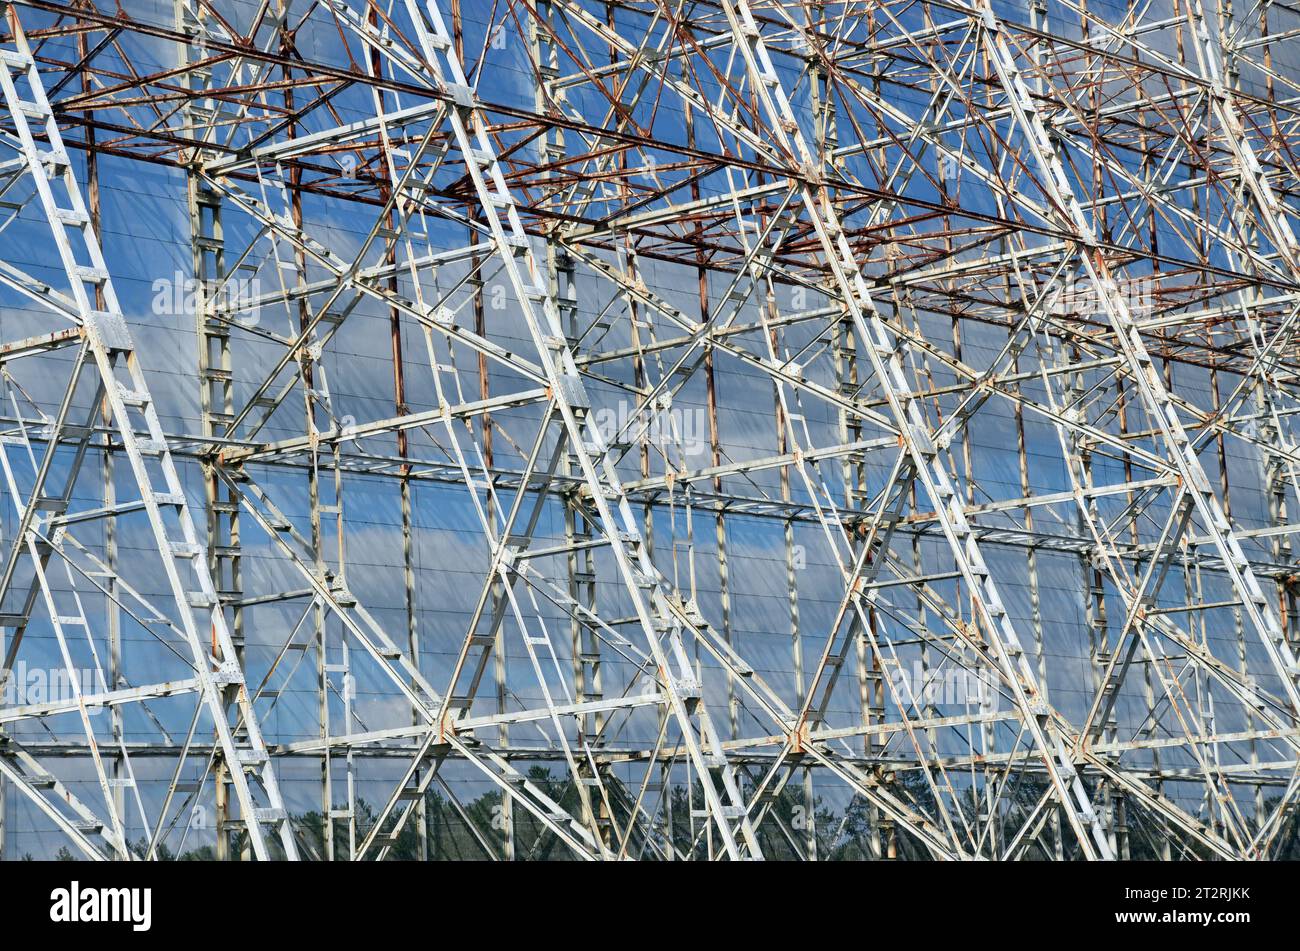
(656, 429)
